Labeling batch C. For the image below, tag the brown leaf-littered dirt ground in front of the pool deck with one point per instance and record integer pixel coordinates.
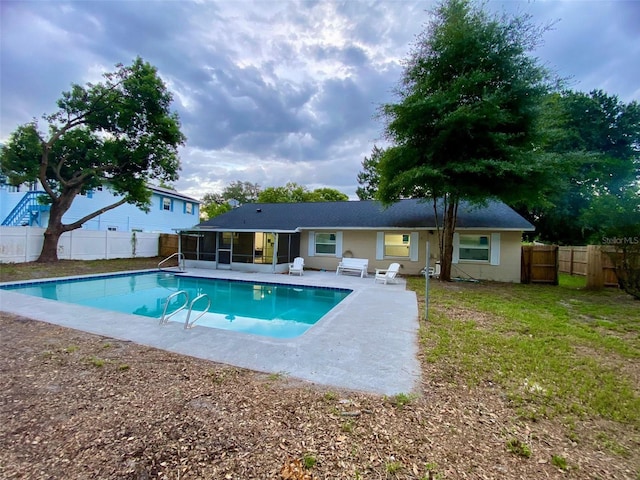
(80, 406)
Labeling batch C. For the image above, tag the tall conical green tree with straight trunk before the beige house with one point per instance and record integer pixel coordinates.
(465, 125)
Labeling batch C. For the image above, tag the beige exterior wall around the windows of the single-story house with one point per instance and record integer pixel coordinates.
(363, 244)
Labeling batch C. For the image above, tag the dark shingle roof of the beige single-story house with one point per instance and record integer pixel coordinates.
(410, 213)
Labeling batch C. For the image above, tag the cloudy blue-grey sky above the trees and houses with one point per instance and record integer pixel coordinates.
(277, 91)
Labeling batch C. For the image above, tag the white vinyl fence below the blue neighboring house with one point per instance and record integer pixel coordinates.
(24, 244)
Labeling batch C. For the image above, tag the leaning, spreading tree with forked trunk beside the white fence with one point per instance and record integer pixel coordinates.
(119, 133)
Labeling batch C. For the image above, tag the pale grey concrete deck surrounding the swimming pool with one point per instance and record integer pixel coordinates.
(368, 342)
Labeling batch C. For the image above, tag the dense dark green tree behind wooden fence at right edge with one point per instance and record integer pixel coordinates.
(597, 141)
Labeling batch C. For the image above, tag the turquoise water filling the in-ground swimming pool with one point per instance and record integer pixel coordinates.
(268, 309)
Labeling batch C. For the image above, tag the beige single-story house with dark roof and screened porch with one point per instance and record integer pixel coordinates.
(266, 237)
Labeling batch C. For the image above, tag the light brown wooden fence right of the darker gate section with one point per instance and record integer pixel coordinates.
(592, 261)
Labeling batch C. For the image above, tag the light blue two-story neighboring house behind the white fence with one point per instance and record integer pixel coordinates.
(169, 210)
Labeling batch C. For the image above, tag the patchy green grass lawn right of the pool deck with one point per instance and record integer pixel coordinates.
(559, 352)
